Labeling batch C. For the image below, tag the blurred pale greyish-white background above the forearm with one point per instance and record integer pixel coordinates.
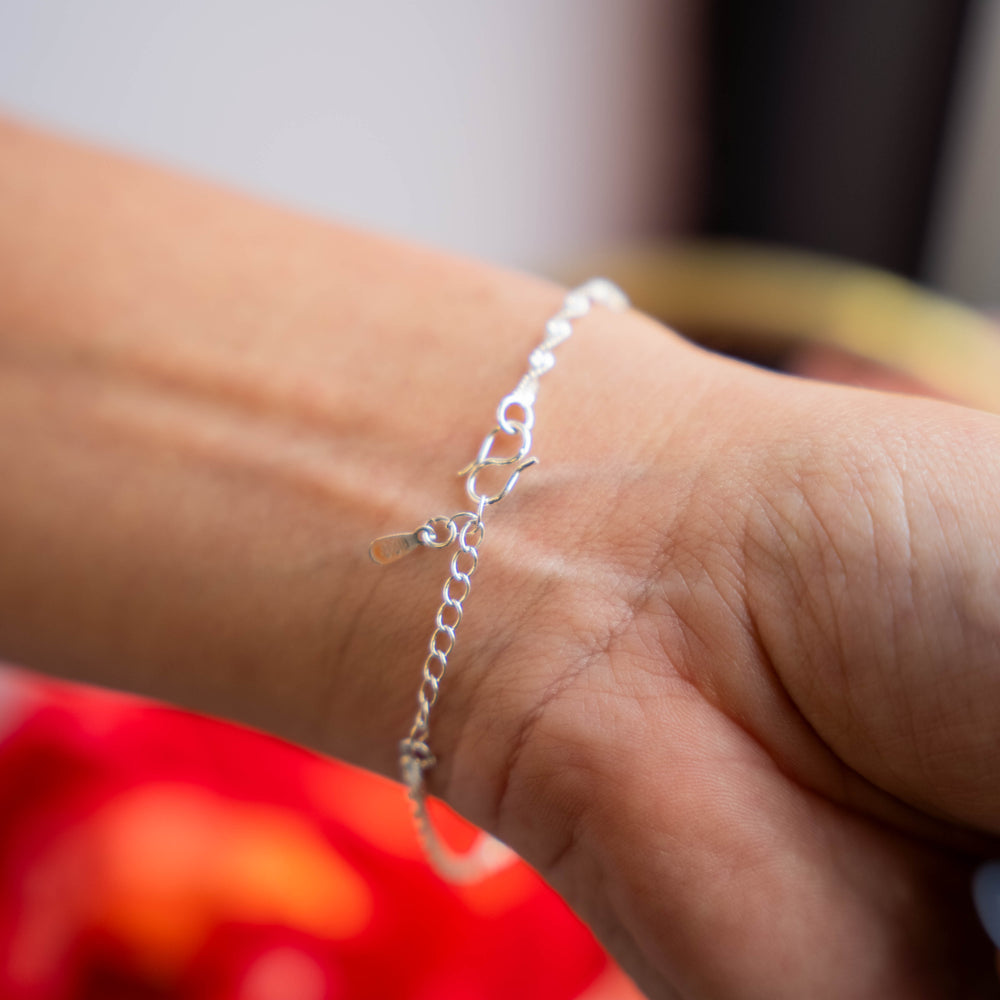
(522, 131)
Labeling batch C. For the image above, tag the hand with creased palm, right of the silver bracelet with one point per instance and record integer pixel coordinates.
(741, 712)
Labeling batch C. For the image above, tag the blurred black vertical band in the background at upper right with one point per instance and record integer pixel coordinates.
(829, 123)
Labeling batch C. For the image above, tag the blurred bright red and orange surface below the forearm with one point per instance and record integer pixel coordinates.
(149, 853)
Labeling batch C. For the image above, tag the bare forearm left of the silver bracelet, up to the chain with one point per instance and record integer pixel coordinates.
(210, 407)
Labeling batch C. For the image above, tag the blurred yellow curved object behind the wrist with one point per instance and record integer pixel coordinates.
(747, 298)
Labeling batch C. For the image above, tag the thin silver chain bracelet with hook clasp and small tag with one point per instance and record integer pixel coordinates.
(466, 530)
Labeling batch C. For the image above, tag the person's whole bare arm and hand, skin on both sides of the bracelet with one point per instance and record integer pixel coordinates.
(727, 674)
